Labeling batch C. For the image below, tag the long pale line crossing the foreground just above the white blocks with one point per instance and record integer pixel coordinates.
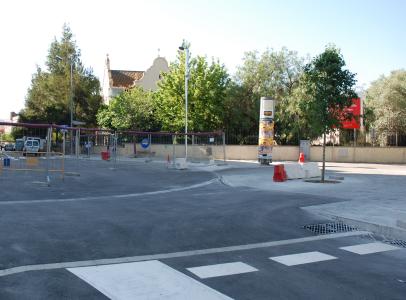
(119, 260)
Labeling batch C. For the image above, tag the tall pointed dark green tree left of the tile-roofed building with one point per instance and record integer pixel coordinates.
(48, 98)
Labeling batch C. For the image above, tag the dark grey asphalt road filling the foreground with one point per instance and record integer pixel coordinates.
(148, 217)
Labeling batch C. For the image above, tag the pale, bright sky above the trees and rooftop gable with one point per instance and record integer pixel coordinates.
(370, 33)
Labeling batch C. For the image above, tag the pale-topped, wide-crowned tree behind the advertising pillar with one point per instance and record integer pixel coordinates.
(274, 74)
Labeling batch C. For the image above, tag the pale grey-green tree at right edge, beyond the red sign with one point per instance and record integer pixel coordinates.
(386, 99)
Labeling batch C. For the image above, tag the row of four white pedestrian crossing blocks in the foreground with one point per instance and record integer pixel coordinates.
(156, 280)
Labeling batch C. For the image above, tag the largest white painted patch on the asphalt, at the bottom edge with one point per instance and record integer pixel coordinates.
(145, 280)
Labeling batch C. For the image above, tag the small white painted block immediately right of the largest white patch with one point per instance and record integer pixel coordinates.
(222, 270)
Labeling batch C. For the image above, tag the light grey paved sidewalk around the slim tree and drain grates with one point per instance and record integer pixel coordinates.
(371, 196)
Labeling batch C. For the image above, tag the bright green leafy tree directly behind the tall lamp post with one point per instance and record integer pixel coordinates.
(206, 94)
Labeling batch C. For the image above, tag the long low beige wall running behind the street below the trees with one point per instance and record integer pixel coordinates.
(280, 153)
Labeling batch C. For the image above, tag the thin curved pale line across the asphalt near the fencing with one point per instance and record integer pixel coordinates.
(111, 197)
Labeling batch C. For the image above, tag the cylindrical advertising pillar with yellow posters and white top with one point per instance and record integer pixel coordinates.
(266, 130)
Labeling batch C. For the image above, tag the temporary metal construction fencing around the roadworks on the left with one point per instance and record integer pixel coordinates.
(56, 143)
